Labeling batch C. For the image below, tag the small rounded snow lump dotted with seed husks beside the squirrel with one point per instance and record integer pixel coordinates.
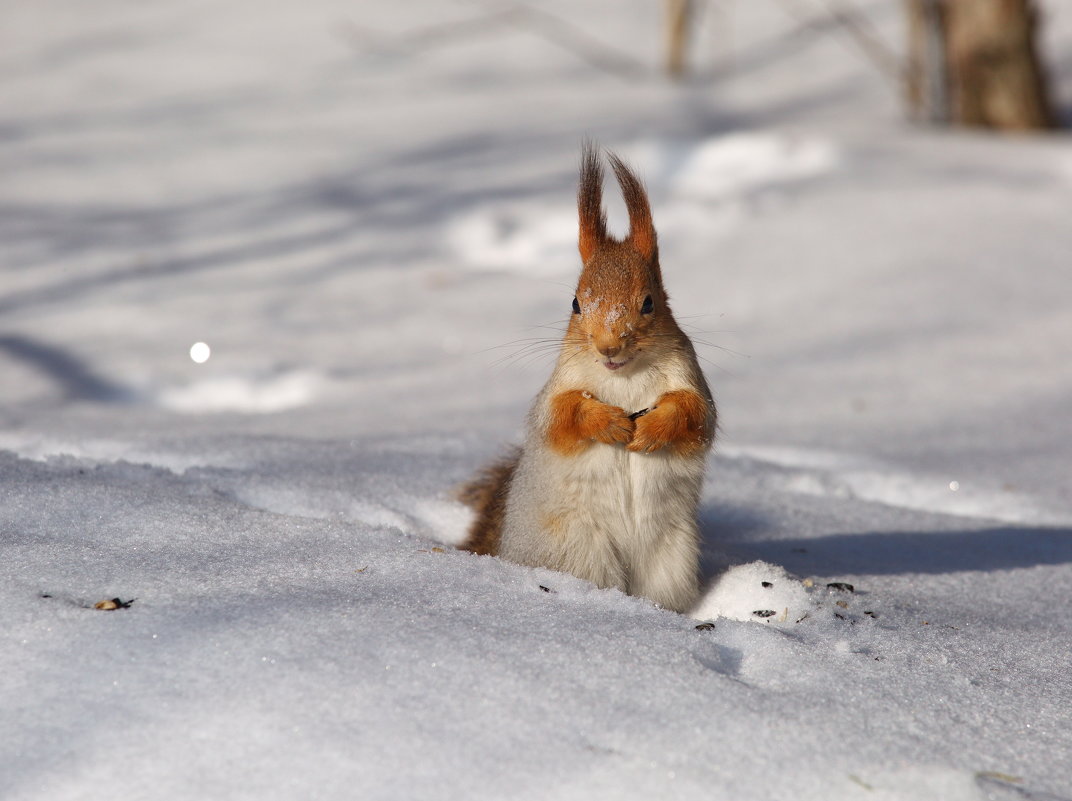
(756, 591)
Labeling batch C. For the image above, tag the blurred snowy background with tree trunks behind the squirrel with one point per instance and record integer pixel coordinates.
(350, 221)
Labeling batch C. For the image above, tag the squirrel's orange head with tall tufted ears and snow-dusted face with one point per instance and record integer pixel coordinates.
(620, 307)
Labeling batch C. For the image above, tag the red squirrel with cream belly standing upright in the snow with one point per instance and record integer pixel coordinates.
(607, 483)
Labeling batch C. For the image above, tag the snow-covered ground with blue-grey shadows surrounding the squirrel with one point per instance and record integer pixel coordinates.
(358, 205)
